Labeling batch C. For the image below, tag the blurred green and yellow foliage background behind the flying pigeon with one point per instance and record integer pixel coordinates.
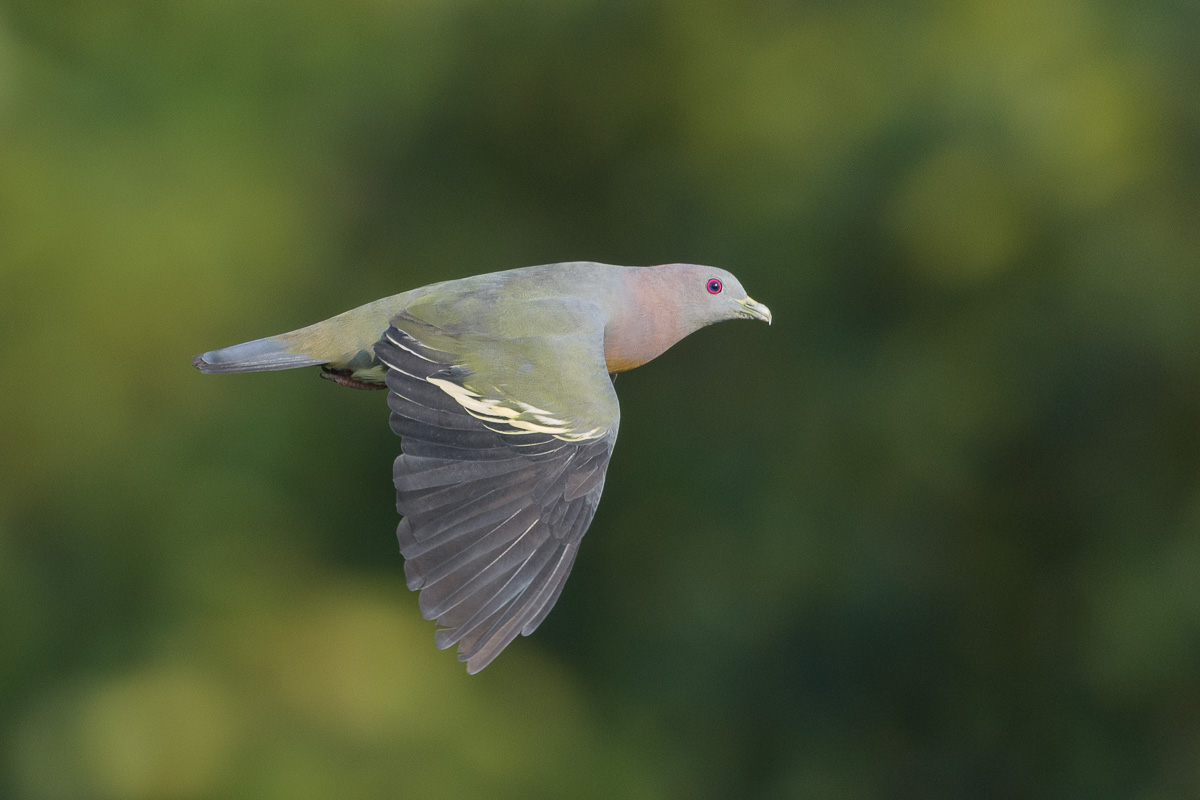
(935, 534)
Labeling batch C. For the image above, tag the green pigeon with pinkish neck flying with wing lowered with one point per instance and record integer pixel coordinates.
(501, 388)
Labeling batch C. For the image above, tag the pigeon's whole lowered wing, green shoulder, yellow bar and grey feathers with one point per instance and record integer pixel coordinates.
(496, 491)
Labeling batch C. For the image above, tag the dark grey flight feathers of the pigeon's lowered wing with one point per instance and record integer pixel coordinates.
(493, 518)
